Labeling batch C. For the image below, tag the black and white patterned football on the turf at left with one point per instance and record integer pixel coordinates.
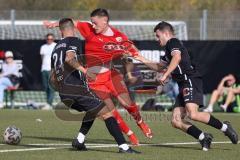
(12, 135)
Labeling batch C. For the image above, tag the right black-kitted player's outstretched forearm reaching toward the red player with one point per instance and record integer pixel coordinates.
(153, 65)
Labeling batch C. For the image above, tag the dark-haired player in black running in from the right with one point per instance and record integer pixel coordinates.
(190, 98)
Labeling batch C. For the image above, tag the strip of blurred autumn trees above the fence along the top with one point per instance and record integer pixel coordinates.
(132, 5)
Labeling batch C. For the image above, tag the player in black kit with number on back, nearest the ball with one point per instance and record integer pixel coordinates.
(68, 78)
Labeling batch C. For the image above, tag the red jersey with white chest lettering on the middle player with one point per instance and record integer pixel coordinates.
(101, 49)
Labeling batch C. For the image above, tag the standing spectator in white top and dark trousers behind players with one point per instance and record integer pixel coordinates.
(45, 52)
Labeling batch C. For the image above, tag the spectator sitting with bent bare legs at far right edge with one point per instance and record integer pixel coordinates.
(225, 93)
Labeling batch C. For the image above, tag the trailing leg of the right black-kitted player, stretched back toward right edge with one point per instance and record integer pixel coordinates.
(225, 127)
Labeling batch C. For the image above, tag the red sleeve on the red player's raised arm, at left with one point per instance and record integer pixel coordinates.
(84, 28)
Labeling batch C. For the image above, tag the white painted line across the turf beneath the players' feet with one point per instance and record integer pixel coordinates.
(96, 145)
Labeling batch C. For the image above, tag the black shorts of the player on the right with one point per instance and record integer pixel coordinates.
(190, 91)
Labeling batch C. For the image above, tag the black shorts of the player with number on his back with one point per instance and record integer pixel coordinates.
(81, 98)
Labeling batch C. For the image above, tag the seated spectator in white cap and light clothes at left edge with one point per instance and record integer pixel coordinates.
(9, 76)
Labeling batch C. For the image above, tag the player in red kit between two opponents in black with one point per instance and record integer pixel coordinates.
(103, 45)
